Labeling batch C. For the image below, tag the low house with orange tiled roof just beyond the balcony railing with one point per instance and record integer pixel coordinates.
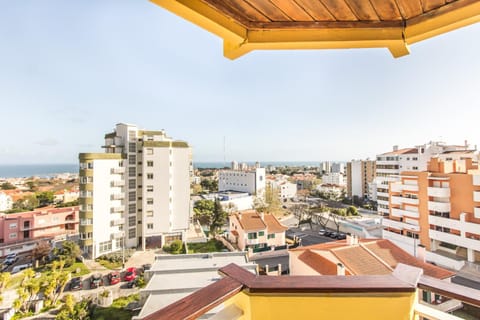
(362, 257)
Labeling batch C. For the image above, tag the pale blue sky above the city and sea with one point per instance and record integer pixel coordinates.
(71, 70)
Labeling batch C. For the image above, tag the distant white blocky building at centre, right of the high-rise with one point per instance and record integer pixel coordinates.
(251, 181)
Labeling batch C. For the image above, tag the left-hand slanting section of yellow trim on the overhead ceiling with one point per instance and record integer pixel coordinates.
(205, 17)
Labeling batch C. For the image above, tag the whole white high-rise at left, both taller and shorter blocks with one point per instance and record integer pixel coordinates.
(144, 184)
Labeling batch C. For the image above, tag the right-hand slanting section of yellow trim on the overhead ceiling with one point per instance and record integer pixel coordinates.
(442, 23)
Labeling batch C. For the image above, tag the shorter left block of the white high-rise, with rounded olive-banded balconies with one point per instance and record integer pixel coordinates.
(101, 203)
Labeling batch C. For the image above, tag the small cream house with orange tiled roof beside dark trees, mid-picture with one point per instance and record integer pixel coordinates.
(252, 229)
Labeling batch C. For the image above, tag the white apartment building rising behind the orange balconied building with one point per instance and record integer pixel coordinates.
(390, 164)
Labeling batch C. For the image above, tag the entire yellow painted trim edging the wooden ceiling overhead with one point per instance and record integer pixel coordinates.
(239, 40)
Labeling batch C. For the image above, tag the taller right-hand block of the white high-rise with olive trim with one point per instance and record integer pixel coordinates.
(157, 172)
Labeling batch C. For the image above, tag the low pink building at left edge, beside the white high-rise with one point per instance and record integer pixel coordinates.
(17, 229)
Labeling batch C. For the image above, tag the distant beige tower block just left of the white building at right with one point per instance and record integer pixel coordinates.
(360, 174)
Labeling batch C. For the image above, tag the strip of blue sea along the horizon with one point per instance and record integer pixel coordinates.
(50, 170)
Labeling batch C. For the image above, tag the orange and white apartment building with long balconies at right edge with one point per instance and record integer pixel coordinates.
(437, 210)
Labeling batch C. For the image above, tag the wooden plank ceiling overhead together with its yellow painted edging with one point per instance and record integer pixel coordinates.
(247, 25)
